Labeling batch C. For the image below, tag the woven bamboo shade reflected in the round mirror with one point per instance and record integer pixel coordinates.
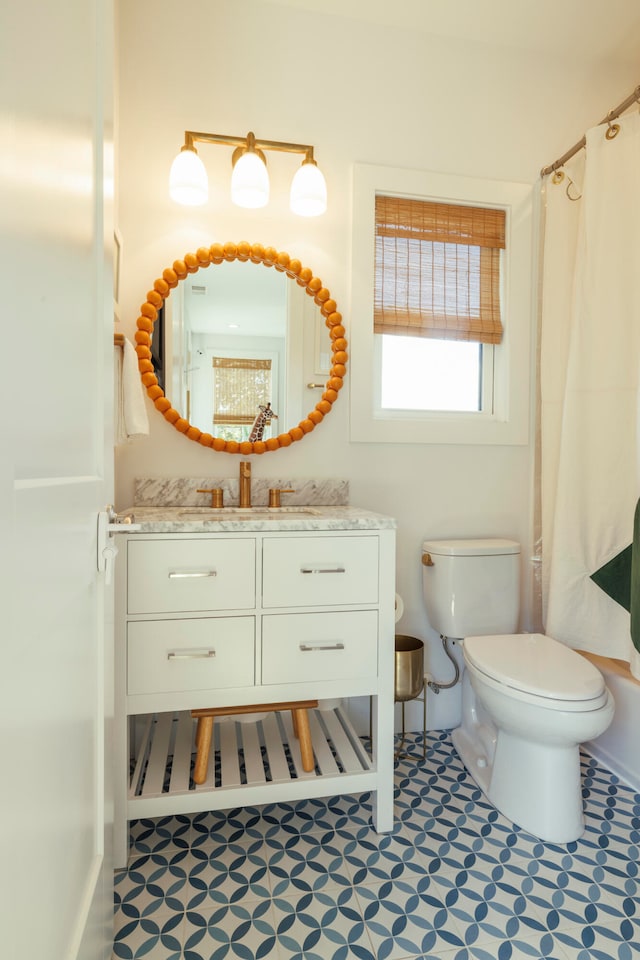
(239, 386)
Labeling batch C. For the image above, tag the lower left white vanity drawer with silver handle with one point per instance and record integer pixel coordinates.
(165, 656)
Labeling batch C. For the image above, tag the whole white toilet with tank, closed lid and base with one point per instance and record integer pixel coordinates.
(528, 701)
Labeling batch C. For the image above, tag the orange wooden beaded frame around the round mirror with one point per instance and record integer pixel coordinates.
(269, 257)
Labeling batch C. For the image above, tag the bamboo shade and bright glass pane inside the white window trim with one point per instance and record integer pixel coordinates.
(436, 302)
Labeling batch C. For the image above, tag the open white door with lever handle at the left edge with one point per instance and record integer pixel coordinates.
(56, 469)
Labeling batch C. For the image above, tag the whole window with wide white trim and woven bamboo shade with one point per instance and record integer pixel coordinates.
(441, 308)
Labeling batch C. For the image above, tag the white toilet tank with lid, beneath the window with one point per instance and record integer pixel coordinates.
(471, 587)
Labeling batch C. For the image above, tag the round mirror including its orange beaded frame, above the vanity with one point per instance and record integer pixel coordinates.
(230, 385)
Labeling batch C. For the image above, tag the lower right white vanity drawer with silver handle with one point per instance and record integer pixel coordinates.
(300, 647)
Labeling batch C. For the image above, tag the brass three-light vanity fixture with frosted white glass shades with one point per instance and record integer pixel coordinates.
(188, 183)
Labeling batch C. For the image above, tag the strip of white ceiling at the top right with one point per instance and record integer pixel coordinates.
(587, 30)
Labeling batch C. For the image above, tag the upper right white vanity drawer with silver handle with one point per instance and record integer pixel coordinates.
(319, 571)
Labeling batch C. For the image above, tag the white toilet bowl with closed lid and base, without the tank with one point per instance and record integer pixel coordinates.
(524, 717)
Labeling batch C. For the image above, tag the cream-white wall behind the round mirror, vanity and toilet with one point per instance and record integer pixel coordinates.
(359, 93)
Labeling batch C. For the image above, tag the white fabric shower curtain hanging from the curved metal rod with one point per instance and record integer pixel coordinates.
(589, 392)
